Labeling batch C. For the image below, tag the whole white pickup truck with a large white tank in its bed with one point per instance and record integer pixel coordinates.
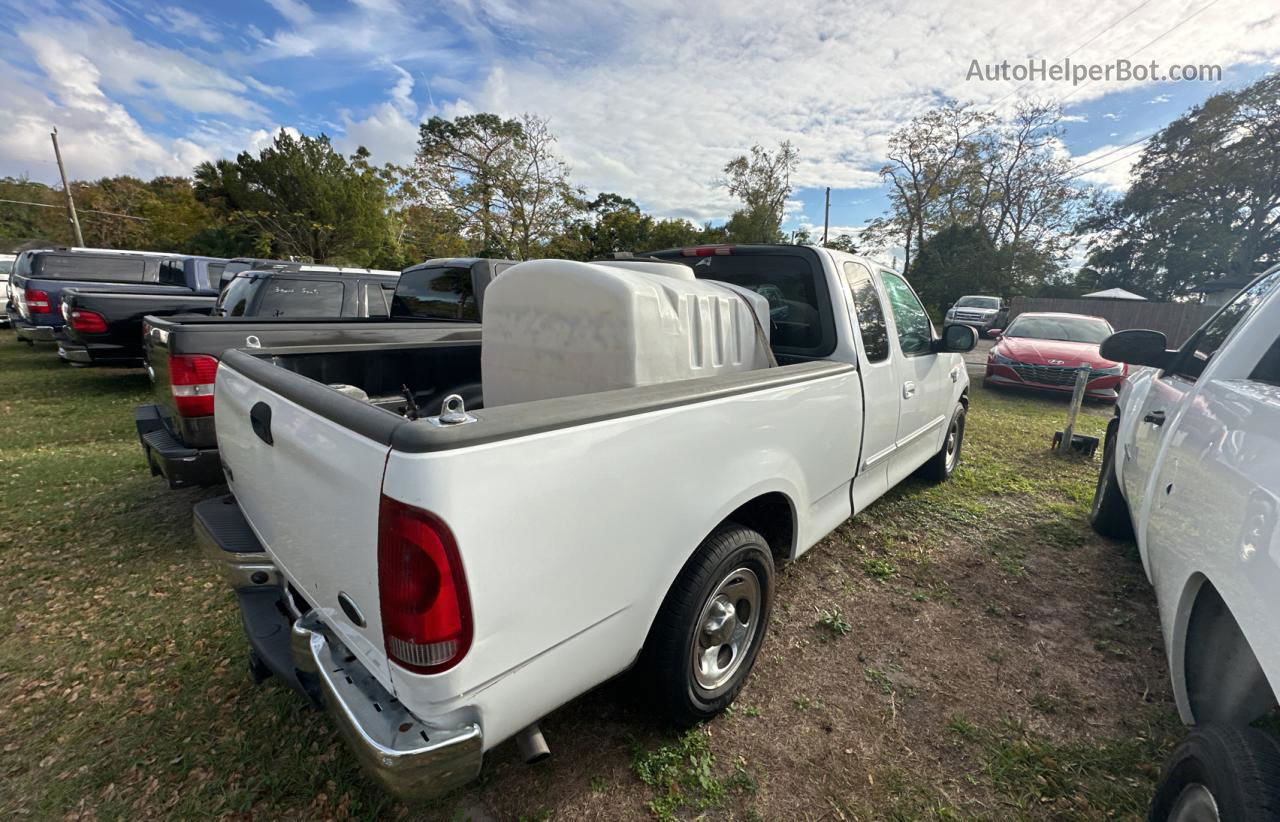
(441, 584)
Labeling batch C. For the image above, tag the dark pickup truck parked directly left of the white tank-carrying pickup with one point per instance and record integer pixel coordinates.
(438, 300)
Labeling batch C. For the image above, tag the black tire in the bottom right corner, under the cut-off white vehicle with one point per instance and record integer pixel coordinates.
(1238, 768)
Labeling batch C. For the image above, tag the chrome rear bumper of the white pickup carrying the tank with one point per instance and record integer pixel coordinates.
(410, 757)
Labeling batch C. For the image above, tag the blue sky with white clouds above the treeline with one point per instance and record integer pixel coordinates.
(648, 98)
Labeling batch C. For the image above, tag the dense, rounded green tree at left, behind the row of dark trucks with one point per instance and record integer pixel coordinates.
(301, 199)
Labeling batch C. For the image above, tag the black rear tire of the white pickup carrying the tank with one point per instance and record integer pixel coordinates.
(670, 659)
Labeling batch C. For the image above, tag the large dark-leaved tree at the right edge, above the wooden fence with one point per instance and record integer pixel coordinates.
(1204, 203)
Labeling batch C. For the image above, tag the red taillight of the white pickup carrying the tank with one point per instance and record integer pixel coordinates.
(422, 590)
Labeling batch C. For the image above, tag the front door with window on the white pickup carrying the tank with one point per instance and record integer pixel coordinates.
(924, 381)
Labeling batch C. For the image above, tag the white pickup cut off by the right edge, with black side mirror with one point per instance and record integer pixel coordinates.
(1192, 469)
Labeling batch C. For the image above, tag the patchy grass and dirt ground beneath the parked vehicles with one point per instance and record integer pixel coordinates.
(963, 651)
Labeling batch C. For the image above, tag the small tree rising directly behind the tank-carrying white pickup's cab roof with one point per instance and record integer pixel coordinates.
(762, 181)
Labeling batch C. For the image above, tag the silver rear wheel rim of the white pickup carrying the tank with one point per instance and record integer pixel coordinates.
(726, 629)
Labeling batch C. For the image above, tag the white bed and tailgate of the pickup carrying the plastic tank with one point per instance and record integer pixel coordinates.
(552, 546)
